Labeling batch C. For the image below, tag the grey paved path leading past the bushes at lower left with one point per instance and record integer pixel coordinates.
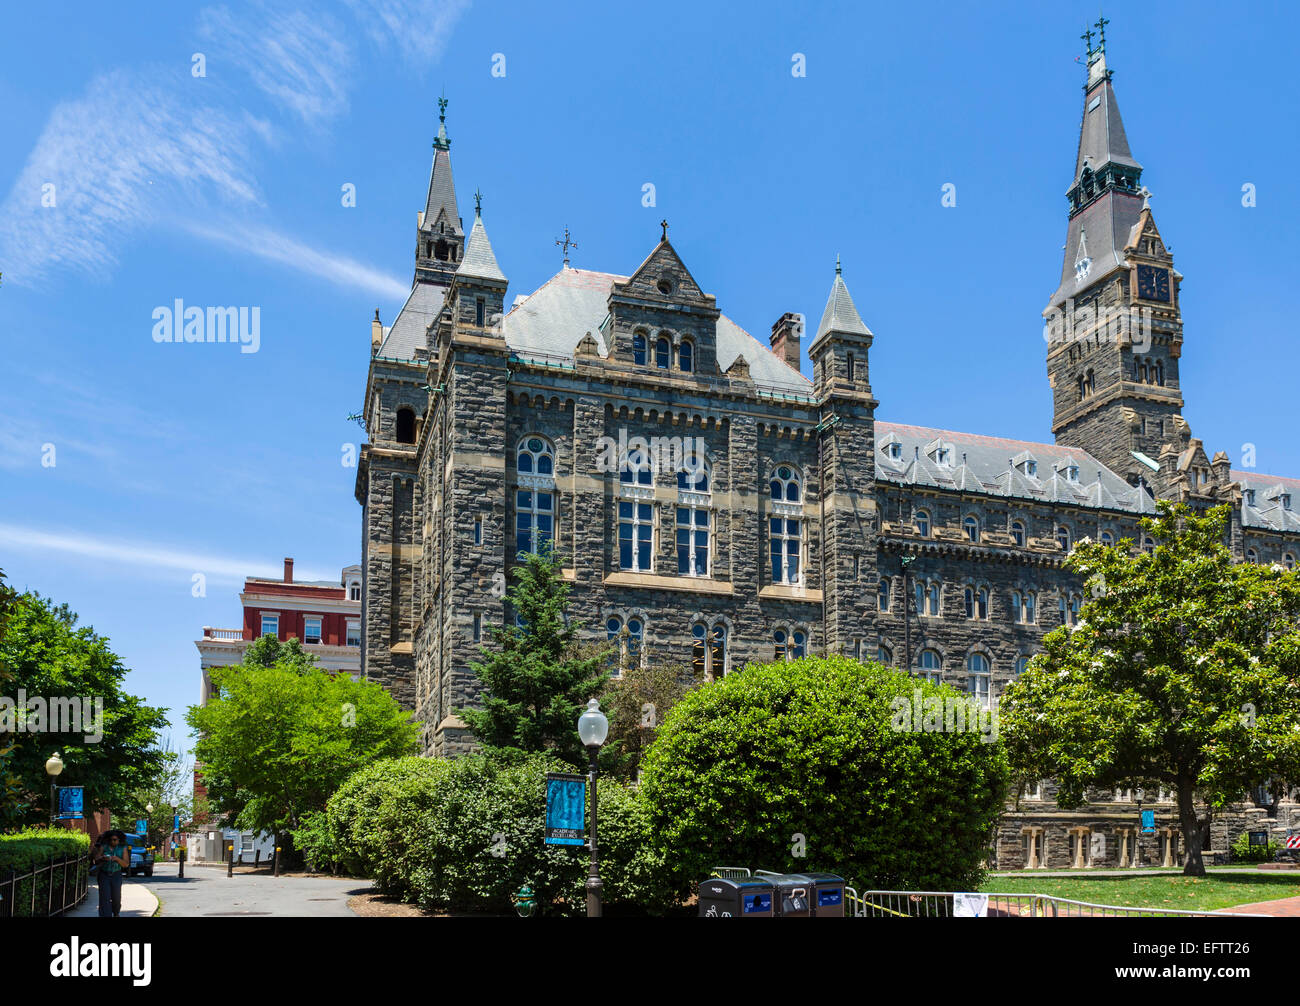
(207, 891)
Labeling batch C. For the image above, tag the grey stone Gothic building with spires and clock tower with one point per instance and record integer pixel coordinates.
(716, 505)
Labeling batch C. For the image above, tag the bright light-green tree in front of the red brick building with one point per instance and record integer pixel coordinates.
(276, 742)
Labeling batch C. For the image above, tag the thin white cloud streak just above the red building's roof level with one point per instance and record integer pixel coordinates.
(145, 556)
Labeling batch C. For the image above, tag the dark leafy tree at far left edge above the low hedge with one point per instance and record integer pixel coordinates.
(49, 657)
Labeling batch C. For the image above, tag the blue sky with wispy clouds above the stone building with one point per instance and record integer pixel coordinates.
(227, 190)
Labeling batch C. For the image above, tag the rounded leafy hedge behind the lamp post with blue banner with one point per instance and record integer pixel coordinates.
(465, 835)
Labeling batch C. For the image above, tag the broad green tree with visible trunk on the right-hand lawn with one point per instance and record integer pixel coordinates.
(1182, 671)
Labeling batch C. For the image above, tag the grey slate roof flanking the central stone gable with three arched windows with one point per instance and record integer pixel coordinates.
(574, 302)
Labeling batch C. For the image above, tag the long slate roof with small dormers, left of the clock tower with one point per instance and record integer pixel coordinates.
(990, 465)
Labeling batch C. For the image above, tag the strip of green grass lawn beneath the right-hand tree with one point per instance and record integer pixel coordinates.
(1221, 890)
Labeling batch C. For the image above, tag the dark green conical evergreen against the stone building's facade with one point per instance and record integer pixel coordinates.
(536, 679)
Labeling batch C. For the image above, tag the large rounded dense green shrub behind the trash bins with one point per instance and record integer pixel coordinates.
(824, 748)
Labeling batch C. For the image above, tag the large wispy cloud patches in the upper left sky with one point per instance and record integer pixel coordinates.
(140, 146)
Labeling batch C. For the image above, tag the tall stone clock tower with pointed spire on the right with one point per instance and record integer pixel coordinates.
(1113, 328)
